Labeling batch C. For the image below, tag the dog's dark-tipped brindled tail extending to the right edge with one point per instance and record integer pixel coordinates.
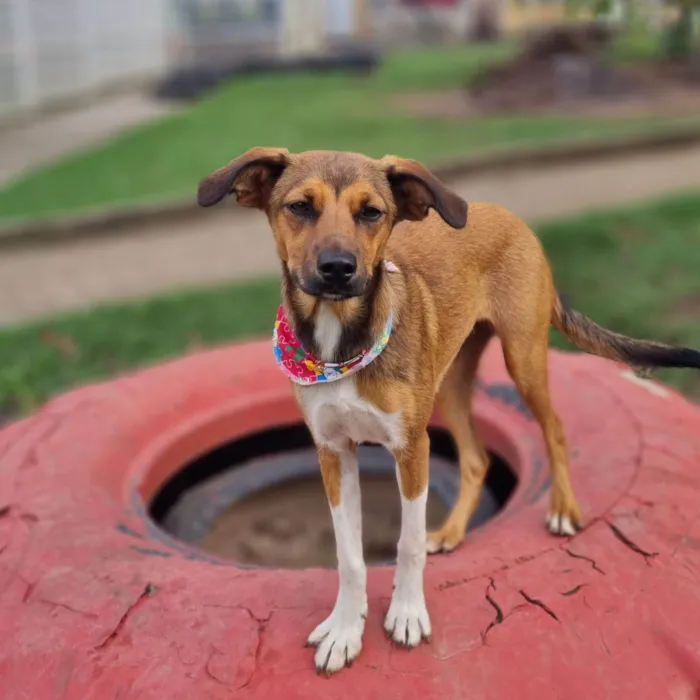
(640, 354)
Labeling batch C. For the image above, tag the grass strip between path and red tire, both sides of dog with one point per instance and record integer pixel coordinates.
(634, 270)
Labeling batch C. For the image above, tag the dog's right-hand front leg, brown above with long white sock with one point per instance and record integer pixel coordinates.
(407, 621)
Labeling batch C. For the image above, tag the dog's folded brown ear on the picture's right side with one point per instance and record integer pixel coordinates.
(416, 190)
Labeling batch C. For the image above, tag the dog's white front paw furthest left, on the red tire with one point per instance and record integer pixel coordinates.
(338, 640)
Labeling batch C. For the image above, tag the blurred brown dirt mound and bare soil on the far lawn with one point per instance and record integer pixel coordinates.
(567, 69)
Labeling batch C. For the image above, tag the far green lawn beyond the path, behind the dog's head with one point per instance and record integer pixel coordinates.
(166, 159)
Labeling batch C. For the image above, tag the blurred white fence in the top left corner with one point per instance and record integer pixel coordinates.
(51, 49)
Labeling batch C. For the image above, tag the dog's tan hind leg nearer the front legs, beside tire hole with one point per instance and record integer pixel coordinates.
(454, 402)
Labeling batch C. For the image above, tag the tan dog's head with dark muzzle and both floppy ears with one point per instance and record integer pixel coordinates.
(331, 213)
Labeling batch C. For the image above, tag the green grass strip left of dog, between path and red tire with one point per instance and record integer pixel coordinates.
(41, 359)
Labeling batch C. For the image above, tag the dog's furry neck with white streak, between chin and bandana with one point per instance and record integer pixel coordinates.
(336, 331)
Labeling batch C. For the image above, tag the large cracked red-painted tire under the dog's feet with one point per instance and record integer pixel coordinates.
(97, 602)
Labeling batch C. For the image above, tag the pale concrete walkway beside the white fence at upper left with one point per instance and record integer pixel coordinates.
(47, 137)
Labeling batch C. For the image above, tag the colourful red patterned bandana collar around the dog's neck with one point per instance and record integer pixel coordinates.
(303, 368)
